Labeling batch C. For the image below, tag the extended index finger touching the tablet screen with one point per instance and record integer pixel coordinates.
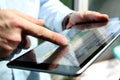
(41, 32)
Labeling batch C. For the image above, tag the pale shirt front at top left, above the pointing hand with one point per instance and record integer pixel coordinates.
(29, 7)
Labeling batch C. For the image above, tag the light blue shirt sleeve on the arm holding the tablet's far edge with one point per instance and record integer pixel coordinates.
(53, 12)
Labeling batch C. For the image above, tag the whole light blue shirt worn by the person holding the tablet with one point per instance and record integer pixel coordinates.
(52, 11)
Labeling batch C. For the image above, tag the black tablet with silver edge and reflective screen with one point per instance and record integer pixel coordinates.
(86, 44)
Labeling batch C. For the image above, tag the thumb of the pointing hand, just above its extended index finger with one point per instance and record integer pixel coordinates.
(29, 18)
